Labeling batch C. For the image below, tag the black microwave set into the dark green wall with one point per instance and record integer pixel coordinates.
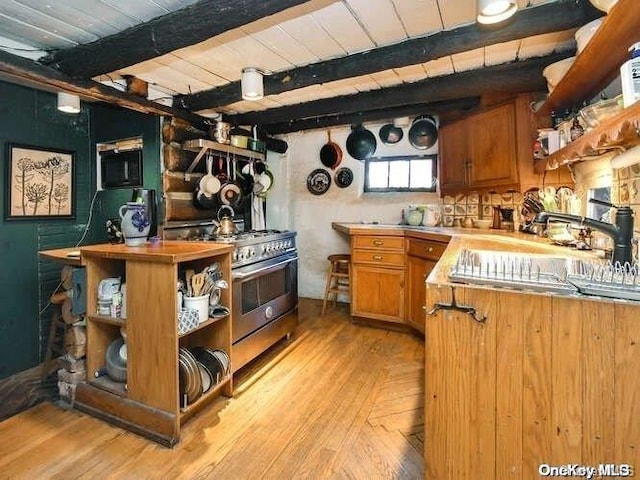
(121, 169)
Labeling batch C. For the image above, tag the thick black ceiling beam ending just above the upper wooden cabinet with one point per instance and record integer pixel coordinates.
(507, 78)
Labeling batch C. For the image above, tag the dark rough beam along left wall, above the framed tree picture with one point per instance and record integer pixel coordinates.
(23, 70)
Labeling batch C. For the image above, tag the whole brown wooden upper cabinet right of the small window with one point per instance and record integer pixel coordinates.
(487, 150)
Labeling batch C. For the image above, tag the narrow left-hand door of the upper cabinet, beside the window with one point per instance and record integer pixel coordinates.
(453, 156)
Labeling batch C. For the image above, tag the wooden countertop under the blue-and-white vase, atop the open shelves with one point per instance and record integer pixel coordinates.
(165, 251)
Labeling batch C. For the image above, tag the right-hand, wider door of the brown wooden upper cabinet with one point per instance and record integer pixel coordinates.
(493, 147)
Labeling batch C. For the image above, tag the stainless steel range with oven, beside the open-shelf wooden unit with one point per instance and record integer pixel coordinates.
(264, 289)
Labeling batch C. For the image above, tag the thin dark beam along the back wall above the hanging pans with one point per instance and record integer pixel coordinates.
(433, 108)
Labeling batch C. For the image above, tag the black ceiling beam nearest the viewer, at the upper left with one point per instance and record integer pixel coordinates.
(182, 28)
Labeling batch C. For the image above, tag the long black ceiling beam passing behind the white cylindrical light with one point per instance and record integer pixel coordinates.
(538, 20)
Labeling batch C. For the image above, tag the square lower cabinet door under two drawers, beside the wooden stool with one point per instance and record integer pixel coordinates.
(378, 293)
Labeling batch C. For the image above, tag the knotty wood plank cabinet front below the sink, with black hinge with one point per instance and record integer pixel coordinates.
(544, 380)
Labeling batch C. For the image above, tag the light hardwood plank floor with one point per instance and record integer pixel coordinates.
(338, 401)
